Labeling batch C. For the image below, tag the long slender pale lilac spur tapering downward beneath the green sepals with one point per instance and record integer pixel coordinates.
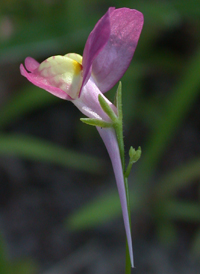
(109, 138)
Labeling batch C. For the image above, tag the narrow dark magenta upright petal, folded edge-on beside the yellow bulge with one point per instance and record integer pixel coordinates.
(95, 42)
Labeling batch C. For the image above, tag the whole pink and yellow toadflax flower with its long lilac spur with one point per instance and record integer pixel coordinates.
(107, 55)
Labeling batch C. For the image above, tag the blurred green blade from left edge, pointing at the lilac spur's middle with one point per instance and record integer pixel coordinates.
(37, 149)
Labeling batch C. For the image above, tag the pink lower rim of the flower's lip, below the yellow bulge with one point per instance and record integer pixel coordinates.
(42, 83)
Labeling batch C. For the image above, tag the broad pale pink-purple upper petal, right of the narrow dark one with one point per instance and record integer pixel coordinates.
(114, 59)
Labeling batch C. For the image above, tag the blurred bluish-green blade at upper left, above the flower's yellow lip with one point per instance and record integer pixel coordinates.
(40, 45)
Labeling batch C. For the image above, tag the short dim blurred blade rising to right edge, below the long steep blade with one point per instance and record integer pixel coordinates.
(178, 178)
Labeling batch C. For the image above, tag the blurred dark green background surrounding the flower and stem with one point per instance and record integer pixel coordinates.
(59, 206)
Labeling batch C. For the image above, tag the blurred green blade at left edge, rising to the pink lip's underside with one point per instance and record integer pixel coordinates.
(31, 98)
